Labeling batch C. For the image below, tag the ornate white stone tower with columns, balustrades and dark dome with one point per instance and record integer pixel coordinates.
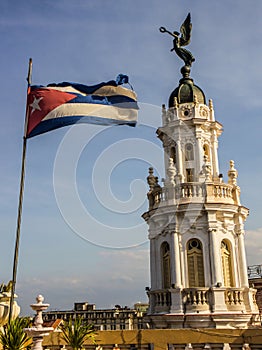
(196, 224)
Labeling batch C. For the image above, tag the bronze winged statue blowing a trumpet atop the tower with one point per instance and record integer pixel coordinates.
(182, 40)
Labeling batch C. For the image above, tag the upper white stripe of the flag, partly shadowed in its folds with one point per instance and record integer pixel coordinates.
(103, 91)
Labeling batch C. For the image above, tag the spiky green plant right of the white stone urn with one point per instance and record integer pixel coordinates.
(75, 332)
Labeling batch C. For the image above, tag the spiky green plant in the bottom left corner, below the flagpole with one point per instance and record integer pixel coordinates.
(13, 336)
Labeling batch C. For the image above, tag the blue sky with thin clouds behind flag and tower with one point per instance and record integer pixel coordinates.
(100, 253)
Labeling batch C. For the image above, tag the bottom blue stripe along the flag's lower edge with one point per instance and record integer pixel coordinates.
(52, 124)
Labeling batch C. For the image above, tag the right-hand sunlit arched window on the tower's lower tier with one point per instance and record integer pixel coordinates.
(226, 257)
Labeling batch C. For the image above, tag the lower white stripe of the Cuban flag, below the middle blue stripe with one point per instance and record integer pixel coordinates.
(84, 109)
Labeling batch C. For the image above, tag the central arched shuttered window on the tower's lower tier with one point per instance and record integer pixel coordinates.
(195, 264)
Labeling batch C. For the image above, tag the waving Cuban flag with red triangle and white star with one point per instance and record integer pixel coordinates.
(57, 105)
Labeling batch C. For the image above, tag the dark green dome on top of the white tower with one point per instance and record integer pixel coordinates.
(185, 92)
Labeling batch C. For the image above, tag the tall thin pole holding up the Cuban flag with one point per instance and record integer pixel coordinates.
(20, 203)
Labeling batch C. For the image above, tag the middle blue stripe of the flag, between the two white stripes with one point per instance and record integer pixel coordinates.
(116, 100)
